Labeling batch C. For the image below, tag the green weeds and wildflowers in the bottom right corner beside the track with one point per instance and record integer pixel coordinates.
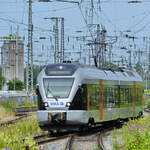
(135, 135)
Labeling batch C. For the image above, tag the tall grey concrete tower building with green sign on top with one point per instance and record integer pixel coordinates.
(12, 59)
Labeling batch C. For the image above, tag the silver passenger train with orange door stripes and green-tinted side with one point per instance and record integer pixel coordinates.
(75, 95)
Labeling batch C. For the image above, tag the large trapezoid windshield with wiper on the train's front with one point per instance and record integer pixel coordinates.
(58, 87)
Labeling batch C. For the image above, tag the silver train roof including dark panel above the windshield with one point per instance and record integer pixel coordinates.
(91, 72)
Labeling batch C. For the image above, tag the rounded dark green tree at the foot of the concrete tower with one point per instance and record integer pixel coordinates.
(15, 84)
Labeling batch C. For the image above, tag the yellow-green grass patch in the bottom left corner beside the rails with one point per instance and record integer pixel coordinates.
(11, 136)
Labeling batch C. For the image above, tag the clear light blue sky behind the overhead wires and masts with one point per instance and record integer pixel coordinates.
(118, 17)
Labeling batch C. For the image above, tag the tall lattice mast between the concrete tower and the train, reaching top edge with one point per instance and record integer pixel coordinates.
(29, 68)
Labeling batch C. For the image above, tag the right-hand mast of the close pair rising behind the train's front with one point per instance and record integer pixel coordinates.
(62, 40)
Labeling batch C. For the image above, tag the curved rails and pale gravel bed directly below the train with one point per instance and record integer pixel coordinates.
(90, 139)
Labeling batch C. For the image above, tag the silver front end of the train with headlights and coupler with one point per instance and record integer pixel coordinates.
(57, 87)
